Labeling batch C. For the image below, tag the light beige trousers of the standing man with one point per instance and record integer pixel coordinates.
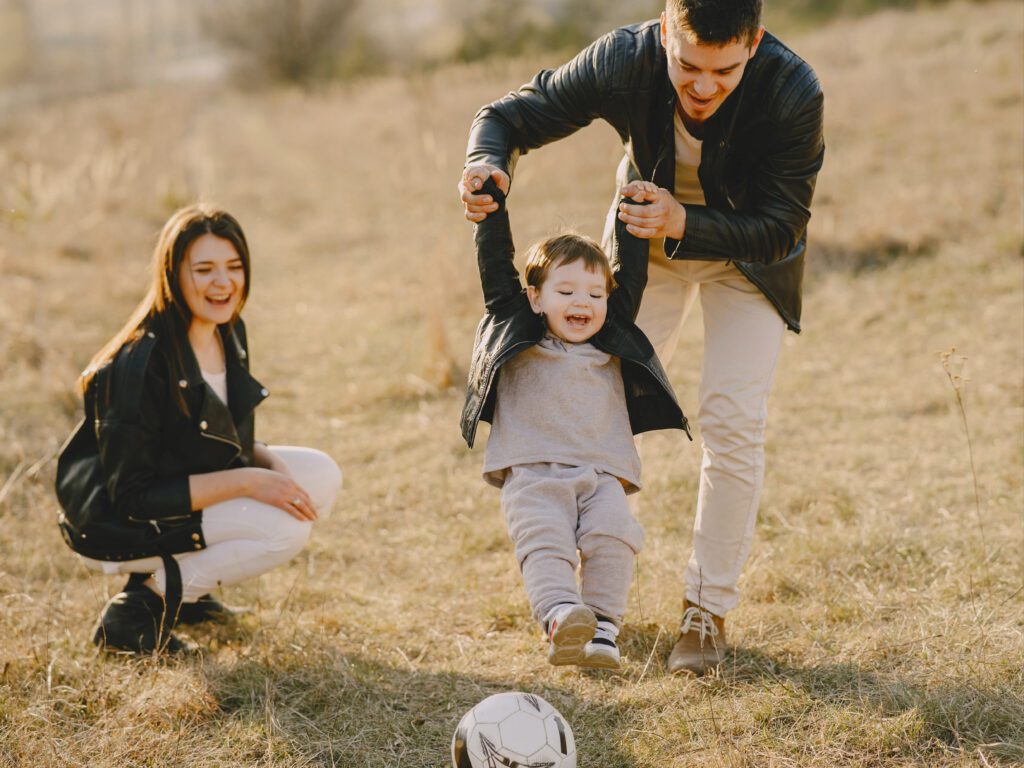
(743, 336)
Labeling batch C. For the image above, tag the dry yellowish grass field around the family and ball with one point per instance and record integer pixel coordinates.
(883, 615)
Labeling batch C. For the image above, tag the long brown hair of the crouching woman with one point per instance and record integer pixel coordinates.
(164, 310)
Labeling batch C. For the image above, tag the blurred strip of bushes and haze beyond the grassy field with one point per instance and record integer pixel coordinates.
(61, 48)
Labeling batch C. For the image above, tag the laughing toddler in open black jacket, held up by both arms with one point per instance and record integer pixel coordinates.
(566, 379)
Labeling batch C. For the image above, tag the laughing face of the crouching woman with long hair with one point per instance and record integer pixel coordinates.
(214, 280)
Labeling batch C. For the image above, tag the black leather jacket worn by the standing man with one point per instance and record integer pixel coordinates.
(762, 149)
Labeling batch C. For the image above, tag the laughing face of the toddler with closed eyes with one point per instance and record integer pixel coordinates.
(574, 302)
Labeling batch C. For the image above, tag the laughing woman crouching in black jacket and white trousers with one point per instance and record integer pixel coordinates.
(163, 479)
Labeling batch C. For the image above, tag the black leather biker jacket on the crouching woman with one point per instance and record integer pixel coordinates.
(123, 477)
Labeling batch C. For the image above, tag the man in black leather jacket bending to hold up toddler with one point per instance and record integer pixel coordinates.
(728, 122)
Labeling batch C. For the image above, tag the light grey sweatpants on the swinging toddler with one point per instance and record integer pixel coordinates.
(552, 511)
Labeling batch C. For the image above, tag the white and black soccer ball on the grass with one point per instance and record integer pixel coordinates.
(514, 731)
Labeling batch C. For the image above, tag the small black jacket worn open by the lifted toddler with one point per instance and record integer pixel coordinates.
(510, 326)
